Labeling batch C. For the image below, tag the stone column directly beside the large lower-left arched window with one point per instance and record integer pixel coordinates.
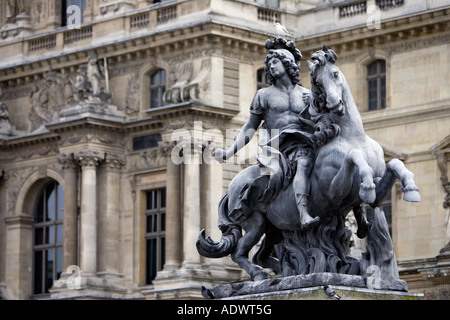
(70, 226)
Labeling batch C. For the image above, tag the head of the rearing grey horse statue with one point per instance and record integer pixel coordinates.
(326, 82)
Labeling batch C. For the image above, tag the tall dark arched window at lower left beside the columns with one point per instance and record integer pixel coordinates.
(48, 236)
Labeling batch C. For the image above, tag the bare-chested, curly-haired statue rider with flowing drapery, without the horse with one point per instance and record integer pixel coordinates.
(288, 151)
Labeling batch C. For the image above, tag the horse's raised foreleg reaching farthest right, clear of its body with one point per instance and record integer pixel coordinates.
(396, 169)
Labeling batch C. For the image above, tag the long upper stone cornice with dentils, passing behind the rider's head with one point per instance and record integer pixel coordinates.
(209, 30)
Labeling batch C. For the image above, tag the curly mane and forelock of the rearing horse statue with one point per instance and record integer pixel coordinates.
(325, 128)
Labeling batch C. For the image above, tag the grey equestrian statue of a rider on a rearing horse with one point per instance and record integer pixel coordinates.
(317, 164)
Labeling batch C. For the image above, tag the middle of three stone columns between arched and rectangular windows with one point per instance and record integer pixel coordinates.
(89, 161)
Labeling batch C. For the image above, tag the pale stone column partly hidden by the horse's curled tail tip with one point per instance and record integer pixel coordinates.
(191, 208)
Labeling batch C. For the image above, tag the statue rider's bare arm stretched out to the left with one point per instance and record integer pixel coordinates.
(245, 135)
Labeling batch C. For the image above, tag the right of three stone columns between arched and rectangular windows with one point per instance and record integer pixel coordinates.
(109, 211)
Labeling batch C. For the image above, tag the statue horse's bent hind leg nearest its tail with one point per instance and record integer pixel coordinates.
(254, 226)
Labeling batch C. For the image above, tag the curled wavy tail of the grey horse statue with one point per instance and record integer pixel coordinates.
(231, 233)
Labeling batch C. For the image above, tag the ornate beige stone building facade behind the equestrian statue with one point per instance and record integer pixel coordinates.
(210, 55)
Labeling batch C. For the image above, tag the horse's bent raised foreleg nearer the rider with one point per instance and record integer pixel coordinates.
(342, 182)
